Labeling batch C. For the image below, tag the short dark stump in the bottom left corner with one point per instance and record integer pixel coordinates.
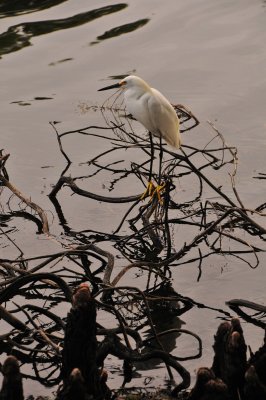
(12, 383)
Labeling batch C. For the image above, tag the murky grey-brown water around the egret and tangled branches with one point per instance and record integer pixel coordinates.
(208, 55)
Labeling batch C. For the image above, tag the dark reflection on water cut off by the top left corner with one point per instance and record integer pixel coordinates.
(15, 7)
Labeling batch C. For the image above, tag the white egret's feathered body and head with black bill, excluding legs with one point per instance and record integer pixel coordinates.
(150, 108)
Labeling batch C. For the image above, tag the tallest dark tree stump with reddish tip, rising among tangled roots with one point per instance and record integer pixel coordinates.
(79, 368)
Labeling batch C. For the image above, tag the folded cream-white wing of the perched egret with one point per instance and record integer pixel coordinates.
(164, 118)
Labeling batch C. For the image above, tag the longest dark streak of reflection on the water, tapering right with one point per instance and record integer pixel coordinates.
(18, 36)
